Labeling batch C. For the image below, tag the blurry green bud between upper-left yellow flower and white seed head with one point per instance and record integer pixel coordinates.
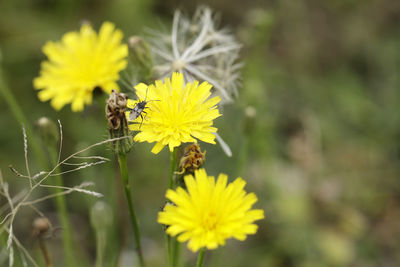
(141, 56)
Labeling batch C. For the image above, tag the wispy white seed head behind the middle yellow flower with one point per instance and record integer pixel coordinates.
(201, 51)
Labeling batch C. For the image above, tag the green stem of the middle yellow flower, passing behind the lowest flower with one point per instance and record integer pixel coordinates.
(173, 245)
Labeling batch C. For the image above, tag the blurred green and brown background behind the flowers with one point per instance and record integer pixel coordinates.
(315, 130)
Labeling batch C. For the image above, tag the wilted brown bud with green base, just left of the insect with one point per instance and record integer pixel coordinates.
(117, 124)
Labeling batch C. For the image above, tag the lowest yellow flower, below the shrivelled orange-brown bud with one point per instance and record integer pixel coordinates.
(210, 212)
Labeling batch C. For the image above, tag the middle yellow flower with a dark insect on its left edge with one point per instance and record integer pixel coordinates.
(176, 113)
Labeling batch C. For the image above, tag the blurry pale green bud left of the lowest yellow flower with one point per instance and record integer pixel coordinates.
(101, 216)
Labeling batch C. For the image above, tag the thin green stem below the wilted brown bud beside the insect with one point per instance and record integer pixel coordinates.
(125, 179)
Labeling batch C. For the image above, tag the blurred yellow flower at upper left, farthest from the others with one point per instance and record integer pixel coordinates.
(79, 63)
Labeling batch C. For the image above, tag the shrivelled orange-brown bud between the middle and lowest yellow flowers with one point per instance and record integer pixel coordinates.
(192, 159)
